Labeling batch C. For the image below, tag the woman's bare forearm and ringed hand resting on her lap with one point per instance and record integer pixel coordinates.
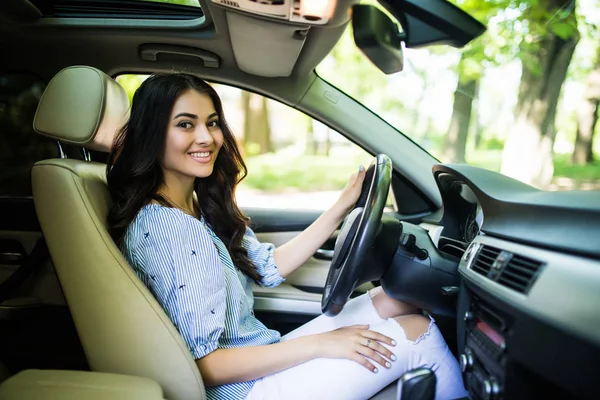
(242, 364)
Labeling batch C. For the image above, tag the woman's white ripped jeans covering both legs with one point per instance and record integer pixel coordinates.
(341, 379)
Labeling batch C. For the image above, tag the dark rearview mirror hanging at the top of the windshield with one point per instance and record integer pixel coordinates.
(378, 37)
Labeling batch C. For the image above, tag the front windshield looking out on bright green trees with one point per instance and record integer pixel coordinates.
(522, 99)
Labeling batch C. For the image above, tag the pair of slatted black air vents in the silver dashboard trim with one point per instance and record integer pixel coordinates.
(510, 270)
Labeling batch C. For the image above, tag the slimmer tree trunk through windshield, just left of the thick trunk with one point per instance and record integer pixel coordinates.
(456, 138)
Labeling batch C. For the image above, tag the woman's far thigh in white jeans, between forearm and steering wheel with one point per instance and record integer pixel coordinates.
(358, 311)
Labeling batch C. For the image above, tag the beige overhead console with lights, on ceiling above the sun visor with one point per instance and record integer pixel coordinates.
(308, 12)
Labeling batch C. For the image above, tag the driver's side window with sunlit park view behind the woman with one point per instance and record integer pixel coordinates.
(294, 161)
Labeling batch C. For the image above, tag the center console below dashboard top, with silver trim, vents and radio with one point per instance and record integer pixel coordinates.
(528, 323)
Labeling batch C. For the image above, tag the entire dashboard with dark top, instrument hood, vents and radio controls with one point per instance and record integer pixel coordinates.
(528, 315)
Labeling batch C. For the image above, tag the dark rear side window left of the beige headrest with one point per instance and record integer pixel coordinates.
(20, 145)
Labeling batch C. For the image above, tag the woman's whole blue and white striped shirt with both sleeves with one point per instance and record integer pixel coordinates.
(190, 272)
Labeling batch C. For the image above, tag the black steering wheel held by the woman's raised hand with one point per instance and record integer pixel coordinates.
(357, 237)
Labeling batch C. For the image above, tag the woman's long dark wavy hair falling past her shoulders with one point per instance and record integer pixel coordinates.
(134, 171)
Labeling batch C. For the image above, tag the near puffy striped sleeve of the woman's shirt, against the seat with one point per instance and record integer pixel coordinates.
(182, 270)
